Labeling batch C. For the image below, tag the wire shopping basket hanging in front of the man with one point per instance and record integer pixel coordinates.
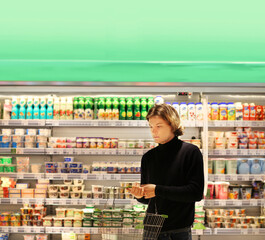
(148, 229)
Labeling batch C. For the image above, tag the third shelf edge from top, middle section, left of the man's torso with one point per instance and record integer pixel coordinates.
(84, 176)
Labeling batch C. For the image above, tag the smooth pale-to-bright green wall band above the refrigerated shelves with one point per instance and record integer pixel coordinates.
(42, 40)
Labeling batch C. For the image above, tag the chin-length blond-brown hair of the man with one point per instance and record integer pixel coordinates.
(169, 114)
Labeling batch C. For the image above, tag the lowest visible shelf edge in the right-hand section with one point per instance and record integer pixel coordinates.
(238, 231)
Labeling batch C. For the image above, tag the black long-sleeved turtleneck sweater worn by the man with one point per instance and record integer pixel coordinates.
(176, 168)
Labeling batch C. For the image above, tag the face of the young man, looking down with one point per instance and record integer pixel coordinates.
(161, 131)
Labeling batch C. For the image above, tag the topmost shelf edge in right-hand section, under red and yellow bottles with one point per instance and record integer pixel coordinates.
(236, 124)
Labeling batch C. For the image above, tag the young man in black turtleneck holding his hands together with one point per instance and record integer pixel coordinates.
(172, 175)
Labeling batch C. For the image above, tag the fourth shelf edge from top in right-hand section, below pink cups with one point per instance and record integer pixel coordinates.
(234, 203)
